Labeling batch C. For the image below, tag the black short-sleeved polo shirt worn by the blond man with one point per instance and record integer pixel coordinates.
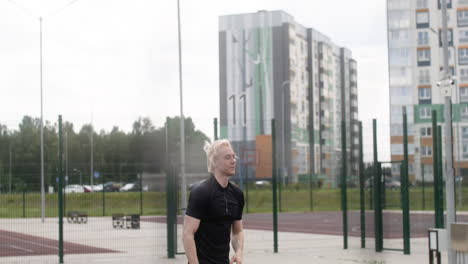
(217, 208)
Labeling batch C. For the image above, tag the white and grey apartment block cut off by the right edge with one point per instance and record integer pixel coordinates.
(415, 64)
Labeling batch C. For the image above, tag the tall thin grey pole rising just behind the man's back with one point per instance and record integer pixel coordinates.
(183, 185)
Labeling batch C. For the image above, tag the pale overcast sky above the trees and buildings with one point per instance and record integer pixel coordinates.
(116, 60)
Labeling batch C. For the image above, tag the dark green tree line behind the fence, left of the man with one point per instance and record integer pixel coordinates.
(117, 155)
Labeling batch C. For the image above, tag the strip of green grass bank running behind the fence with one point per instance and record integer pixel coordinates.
(293, 199)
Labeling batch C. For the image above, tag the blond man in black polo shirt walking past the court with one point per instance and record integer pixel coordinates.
(214, 211)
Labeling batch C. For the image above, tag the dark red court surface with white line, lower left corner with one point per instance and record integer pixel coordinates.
(18, 244)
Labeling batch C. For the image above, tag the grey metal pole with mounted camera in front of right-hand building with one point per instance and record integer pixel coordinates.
(449, 181)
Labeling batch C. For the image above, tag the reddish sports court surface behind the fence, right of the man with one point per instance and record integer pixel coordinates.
(330, 223)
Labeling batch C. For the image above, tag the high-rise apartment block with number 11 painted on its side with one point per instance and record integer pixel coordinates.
(273, 67)
